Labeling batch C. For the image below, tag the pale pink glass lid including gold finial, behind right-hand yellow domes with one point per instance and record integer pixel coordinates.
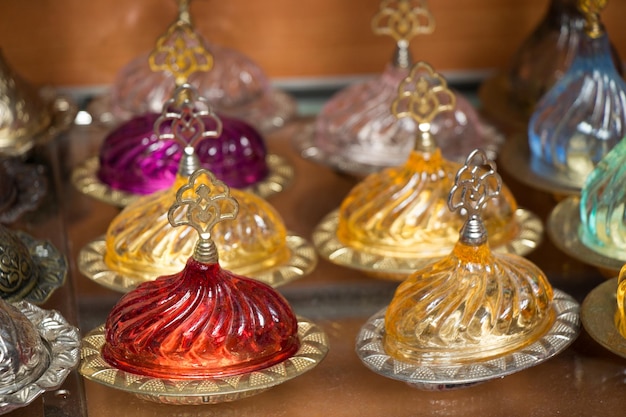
(356, 132)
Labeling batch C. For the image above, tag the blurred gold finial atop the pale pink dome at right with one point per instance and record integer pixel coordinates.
(403, 20)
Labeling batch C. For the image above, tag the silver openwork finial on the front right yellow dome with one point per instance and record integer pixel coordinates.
(475, 184)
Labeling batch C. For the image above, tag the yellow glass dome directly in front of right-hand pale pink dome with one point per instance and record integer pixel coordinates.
(402, 212)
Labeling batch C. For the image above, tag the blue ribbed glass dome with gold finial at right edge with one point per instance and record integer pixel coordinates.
(584, 115)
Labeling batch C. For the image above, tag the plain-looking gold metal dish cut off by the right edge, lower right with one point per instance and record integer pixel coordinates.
(597, 315)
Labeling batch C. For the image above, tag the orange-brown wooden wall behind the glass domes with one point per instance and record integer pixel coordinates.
(85, 42)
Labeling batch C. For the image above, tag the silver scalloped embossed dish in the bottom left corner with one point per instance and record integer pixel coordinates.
(63, 343)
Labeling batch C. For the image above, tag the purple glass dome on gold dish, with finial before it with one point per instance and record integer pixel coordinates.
(144, 154)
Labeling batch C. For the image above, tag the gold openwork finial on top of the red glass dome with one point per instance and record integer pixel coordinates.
(202, 203)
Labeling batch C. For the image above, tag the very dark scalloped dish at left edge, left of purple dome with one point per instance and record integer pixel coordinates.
(30, 186)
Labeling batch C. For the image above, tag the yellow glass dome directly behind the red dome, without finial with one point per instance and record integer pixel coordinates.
(141, 243)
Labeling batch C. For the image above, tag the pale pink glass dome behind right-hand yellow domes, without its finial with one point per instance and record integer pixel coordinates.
(357, 124)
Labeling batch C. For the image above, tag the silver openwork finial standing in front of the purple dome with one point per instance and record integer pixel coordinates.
(184, 119)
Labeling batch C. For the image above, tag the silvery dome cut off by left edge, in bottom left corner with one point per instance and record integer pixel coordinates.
(23, 355)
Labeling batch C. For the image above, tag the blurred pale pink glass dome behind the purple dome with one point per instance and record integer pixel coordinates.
(234, 84)
